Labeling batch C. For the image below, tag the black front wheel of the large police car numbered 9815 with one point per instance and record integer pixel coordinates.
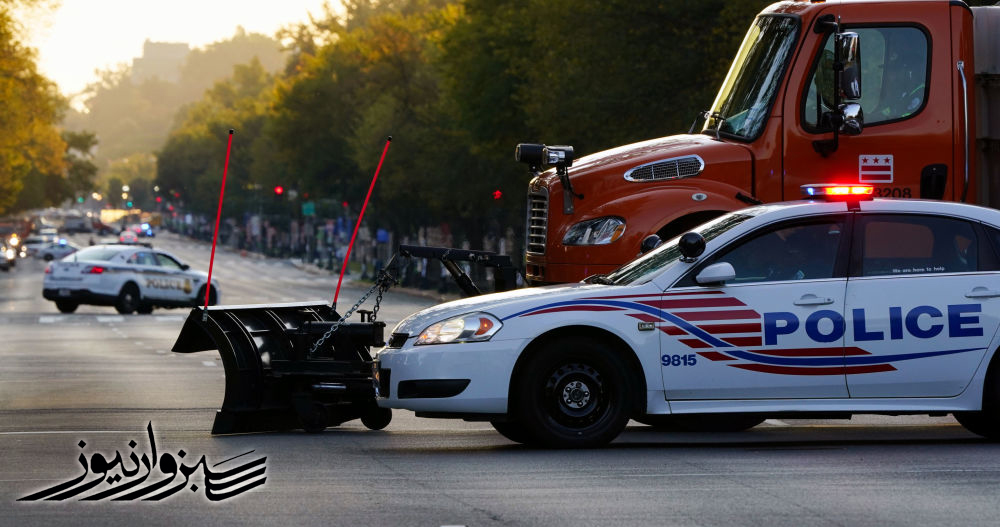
(573, 394)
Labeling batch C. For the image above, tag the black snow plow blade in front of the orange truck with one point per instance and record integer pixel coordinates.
(274, 378)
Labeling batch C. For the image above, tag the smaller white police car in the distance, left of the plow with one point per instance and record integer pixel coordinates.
(133, 278)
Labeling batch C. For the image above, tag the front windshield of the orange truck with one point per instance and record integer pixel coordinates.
(741, 107)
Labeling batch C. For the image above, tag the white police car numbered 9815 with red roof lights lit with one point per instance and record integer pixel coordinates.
(799, 309)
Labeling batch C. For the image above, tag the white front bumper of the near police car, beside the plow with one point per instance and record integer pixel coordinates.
(471, 378)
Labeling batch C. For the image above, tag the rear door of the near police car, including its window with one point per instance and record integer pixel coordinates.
(923, 311)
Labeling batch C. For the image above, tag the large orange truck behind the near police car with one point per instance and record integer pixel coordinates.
(902, 94)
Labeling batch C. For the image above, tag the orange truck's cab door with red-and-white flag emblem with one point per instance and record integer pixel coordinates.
(906, 98)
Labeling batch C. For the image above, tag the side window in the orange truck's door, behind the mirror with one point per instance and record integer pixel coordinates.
(893, 77)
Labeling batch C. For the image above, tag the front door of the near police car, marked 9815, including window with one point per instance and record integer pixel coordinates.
(775, 331)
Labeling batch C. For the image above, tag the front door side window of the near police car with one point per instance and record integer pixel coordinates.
(798, 251)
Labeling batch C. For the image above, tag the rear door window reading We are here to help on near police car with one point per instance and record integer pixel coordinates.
(893, 245)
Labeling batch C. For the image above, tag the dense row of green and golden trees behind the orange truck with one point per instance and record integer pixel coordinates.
(457, 84)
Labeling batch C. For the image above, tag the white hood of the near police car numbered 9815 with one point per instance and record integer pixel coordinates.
(500, 305)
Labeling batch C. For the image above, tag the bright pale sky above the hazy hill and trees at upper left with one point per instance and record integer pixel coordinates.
(81, 36)
